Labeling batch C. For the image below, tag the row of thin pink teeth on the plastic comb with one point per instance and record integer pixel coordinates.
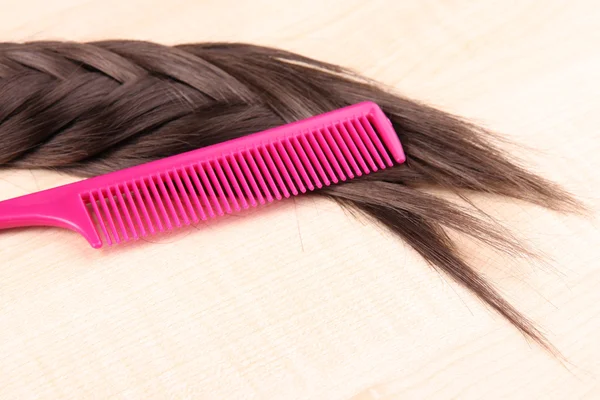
(241, 178)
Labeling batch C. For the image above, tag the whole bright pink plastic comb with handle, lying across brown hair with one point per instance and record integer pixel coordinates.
(215, 180)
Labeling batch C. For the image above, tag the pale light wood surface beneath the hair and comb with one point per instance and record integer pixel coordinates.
(303, 301)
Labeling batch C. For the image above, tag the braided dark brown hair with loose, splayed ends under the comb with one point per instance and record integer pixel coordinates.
(91, 108)
